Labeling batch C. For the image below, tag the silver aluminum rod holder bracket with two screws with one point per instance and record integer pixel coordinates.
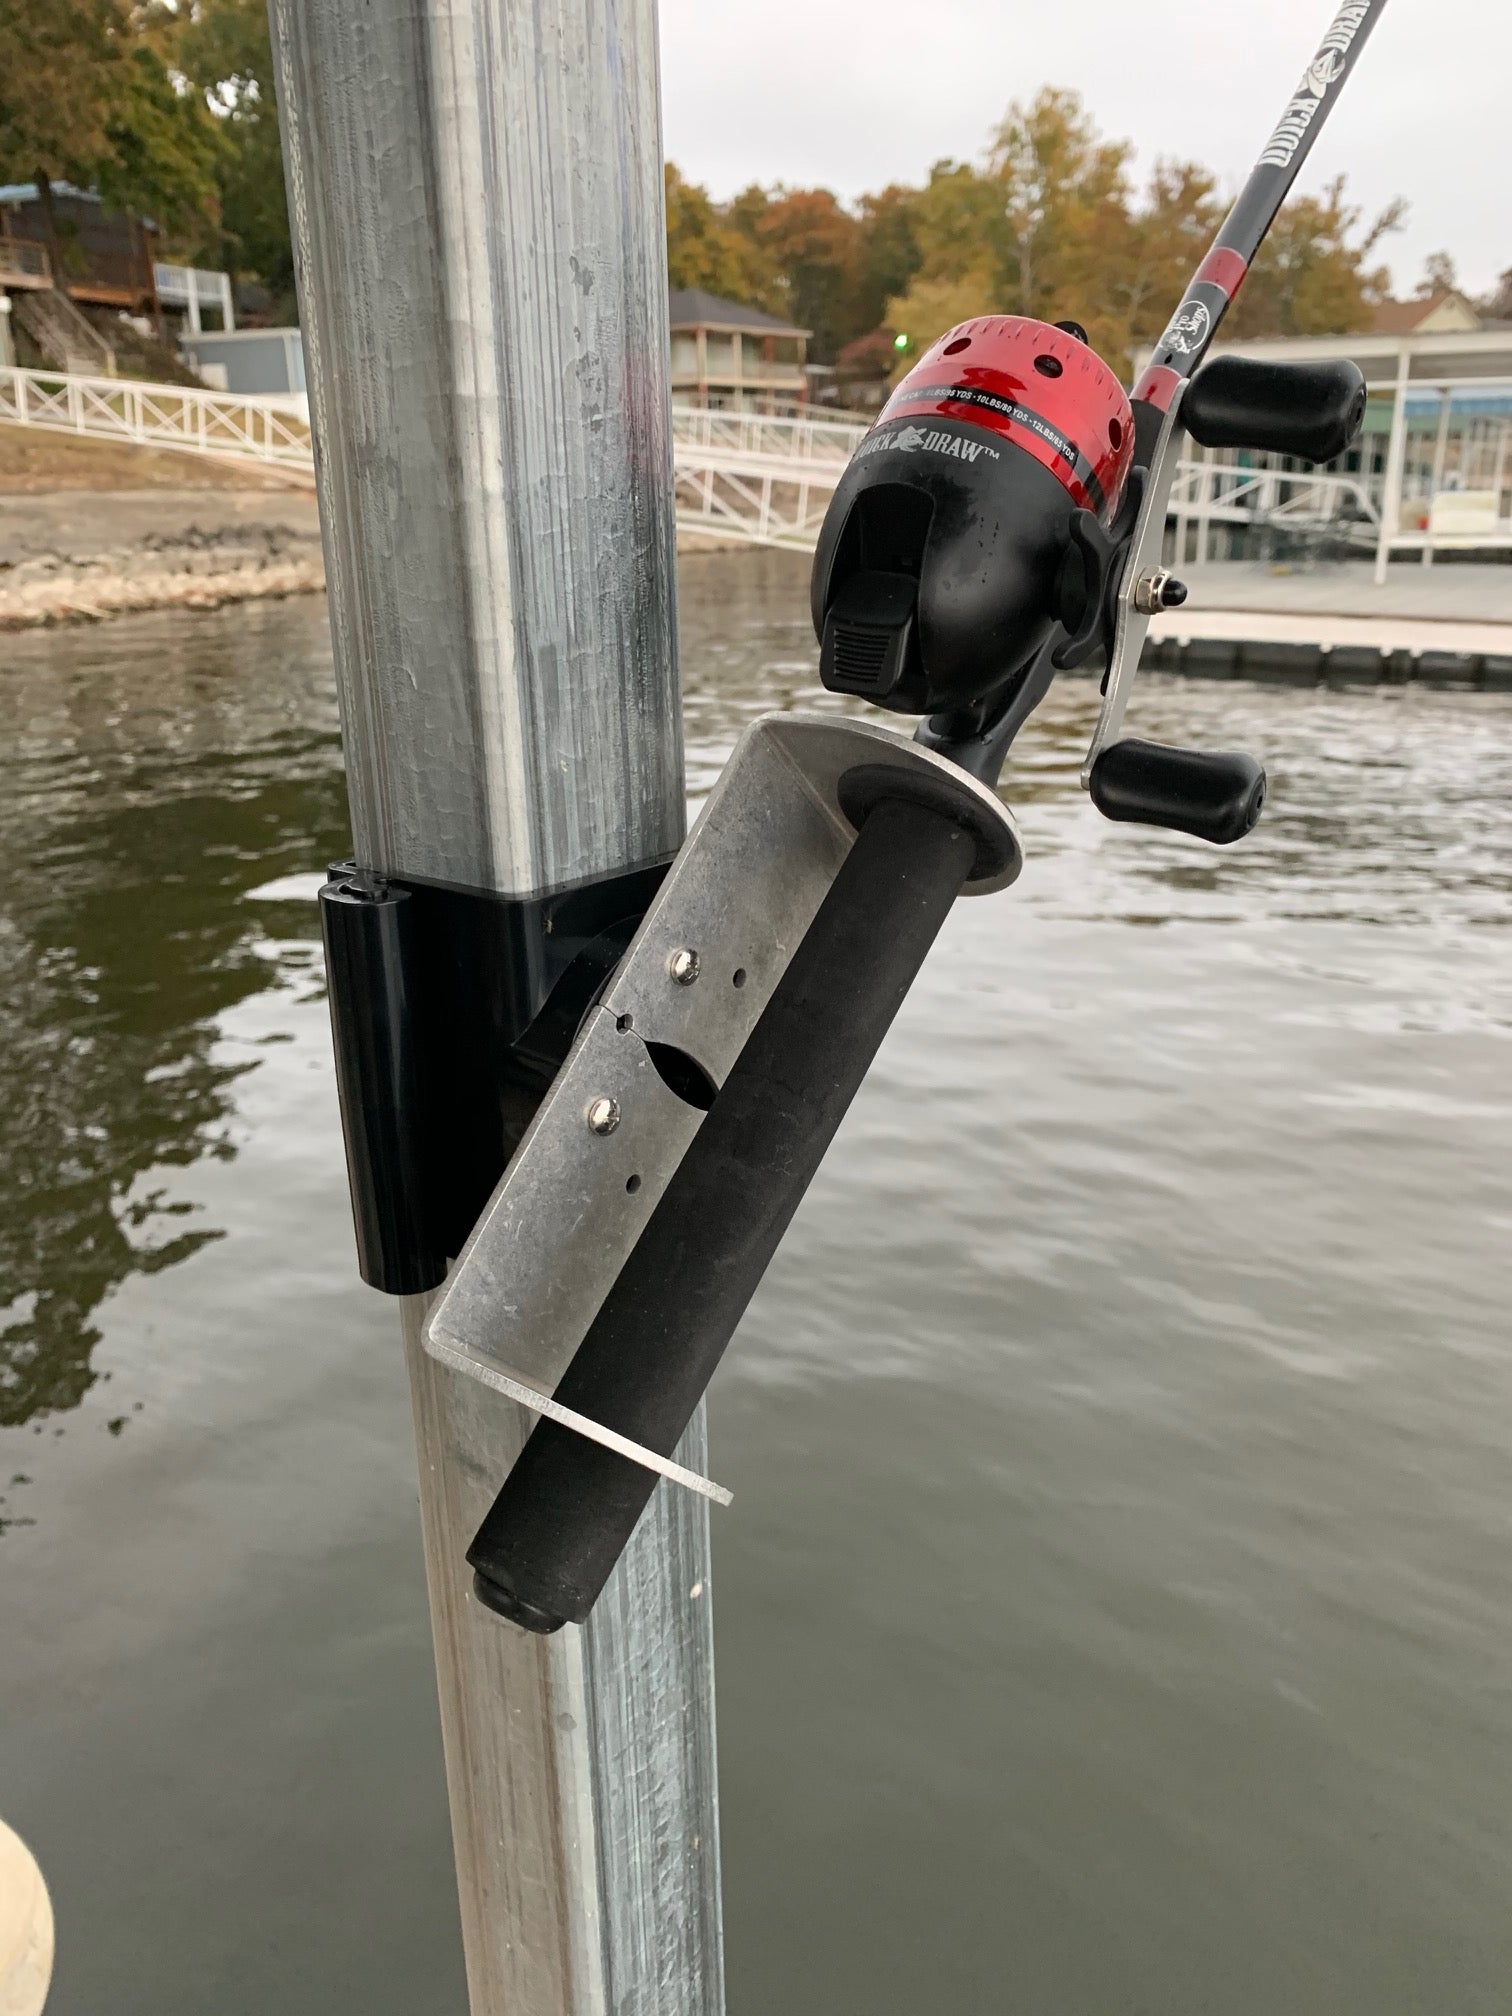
(658, 1045)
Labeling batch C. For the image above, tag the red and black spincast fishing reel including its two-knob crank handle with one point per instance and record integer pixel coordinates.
(1005, 519)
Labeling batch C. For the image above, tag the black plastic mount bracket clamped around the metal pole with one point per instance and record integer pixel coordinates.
(453, 1011)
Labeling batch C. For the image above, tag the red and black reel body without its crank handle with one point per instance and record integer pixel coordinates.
(949, 553)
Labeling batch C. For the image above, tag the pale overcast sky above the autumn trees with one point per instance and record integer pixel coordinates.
(856, 94)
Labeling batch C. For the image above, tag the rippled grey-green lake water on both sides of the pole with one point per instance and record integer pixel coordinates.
(1116, 1612)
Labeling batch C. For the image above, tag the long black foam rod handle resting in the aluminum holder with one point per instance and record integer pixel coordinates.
(568, 1509)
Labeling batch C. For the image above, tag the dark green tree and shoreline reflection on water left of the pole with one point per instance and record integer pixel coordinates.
(162, 771)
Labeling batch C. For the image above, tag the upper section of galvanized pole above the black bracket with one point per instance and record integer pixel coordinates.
(487, 340)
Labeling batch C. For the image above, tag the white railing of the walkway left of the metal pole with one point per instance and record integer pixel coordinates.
(158, 416)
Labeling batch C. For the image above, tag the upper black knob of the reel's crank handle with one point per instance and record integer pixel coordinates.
(1311, 412)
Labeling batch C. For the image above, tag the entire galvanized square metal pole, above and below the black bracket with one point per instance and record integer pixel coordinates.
(477, 205)
